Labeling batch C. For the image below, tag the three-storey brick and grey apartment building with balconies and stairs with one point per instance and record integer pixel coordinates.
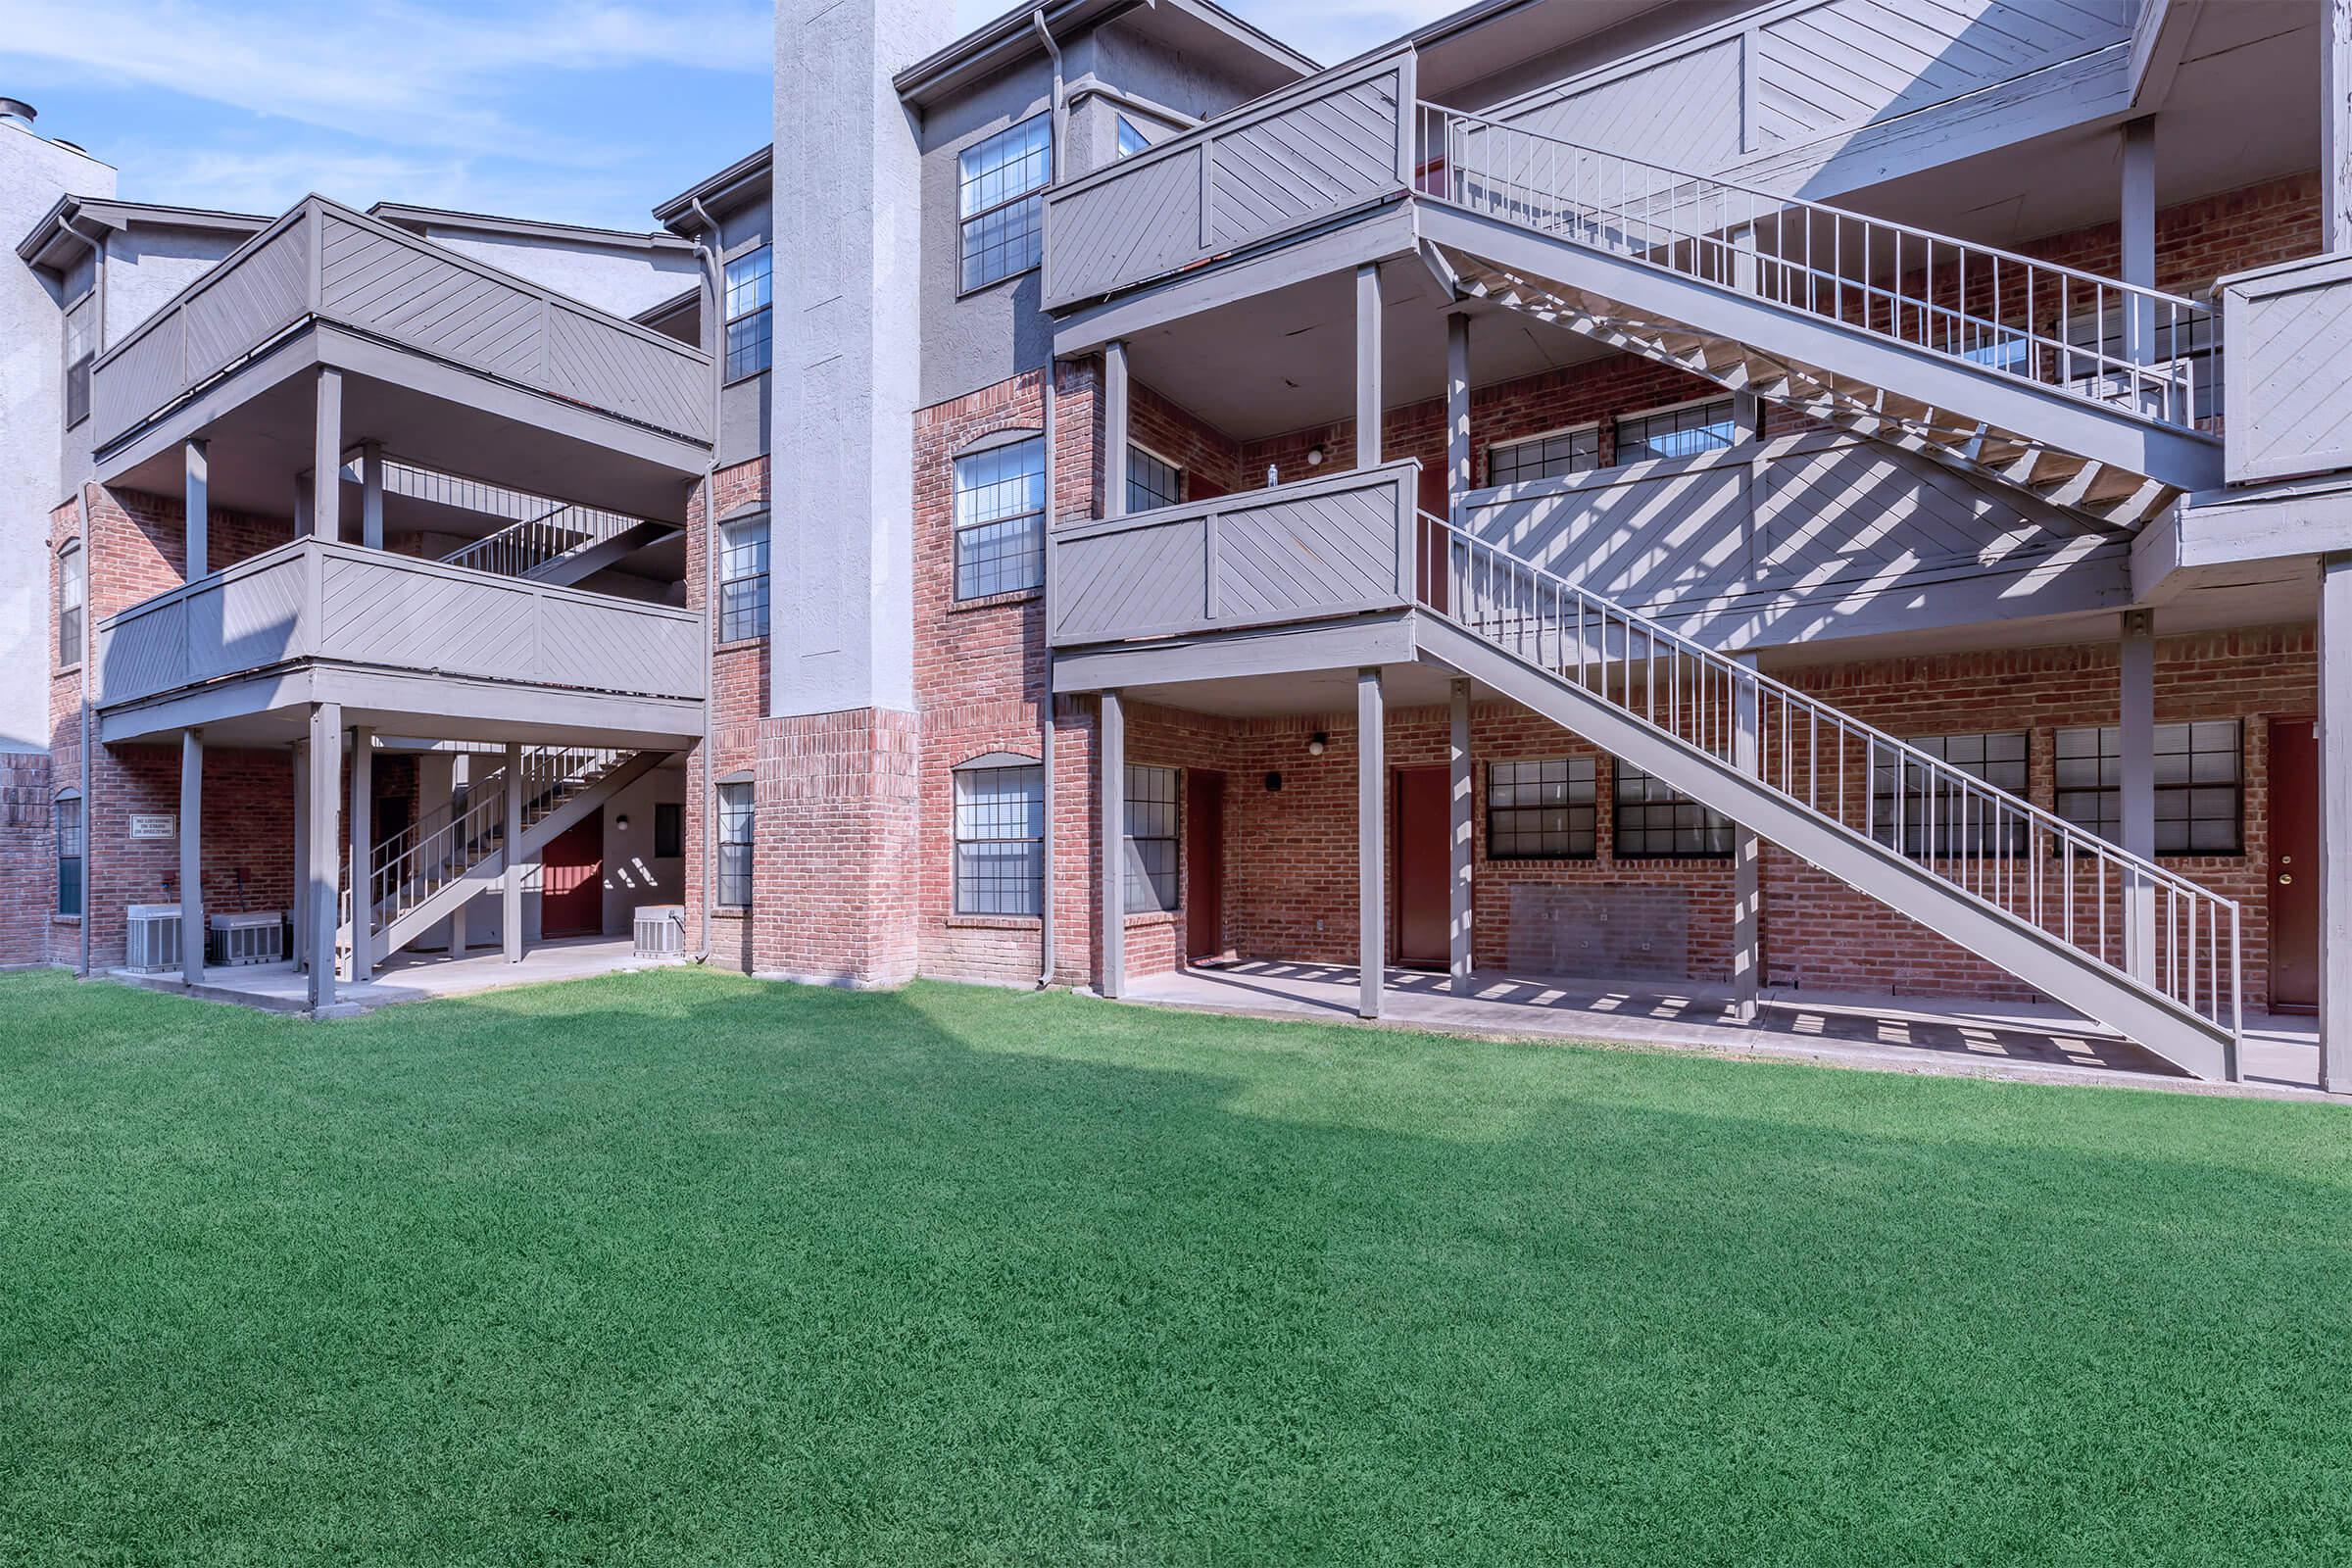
(1810, 497)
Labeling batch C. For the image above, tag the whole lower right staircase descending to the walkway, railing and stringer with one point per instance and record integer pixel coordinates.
(2076, 918)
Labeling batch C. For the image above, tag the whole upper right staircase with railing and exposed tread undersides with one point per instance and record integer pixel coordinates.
(2078, 389)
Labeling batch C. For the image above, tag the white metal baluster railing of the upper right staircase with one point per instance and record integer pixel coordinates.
(2073, 333)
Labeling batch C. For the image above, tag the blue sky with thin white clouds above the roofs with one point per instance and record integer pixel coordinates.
(580, 112)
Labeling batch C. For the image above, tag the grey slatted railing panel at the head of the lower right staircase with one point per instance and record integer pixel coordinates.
(1311, 551)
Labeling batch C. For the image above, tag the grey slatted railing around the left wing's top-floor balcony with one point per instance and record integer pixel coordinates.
(330, 264)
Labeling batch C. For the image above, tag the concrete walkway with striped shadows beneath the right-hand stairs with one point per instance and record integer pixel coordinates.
(1890, 1033)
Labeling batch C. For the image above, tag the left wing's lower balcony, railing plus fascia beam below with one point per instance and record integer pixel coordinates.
(399, 638)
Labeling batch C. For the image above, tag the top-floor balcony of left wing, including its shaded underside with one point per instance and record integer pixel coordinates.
(443, 359)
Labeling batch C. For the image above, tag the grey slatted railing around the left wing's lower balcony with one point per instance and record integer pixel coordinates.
(316, 601)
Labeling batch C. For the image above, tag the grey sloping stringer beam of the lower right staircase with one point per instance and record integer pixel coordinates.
(2036, 958)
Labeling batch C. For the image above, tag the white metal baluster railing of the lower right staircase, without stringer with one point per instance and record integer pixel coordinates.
(1977, 838)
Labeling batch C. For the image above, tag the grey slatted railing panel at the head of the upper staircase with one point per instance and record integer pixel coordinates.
(1271, 168)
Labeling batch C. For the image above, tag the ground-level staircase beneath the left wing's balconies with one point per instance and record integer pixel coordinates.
(436, 866)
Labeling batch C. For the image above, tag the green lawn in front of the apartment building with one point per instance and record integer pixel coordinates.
(693, 1271)
